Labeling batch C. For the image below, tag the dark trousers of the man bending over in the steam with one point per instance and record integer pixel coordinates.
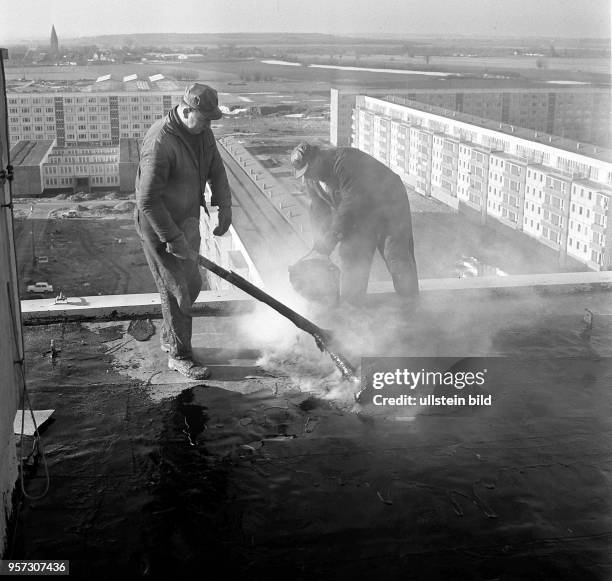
(393, 238)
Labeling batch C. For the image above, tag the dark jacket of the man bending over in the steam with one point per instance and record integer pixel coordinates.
(364, 191)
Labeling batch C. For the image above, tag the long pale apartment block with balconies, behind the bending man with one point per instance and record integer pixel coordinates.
(555, 190)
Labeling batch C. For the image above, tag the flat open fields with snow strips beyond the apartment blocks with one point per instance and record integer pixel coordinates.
(477, 71)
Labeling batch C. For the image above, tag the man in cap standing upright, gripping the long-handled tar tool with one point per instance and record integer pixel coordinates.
(179, 156)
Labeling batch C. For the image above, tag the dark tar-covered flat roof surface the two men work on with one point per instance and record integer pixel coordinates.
(259, 472)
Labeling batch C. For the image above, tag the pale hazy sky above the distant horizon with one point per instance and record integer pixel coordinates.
(31, 19)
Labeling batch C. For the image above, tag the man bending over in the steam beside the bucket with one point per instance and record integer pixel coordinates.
(361, 204)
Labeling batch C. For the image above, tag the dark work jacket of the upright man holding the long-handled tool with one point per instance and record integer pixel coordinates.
(171, 179)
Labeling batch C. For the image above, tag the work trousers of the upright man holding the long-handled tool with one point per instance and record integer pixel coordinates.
(179, 282)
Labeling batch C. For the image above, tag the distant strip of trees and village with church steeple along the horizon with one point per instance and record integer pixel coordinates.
(126, 50)
